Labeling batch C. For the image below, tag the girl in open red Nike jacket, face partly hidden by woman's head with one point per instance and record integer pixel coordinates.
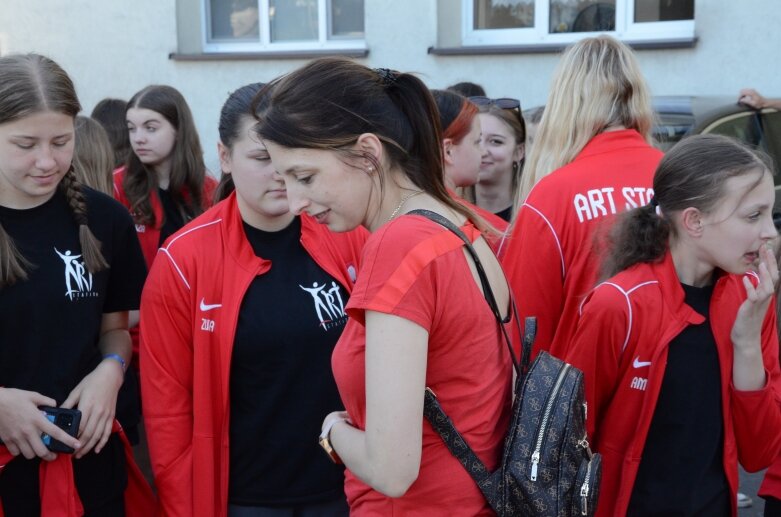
(239, 317)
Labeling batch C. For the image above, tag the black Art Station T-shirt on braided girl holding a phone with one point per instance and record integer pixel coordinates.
(50, 323)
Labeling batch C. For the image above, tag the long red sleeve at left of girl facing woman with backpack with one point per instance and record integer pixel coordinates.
(167, 385)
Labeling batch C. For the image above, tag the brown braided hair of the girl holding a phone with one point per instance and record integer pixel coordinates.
(32, 84)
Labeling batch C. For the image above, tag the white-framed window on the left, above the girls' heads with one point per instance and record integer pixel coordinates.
(285, 25)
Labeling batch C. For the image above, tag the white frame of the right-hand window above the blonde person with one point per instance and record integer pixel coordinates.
(626, 29)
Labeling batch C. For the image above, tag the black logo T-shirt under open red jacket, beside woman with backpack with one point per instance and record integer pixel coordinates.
(281, 381)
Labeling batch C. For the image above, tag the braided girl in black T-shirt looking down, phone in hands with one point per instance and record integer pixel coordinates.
(70, 270)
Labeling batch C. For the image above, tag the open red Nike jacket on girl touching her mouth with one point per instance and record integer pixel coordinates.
(621, 345)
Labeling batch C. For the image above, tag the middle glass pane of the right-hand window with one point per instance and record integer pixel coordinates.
(582, 16)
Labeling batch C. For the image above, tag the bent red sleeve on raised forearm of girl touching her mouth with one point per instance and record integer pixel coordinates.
(756, 415)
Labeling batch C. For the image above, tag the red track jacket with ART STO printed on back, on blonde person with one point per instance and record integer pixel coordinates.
(549, 258)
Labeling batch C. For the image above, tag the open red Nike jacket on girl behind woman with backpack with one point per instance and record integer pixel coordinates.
(189, 310)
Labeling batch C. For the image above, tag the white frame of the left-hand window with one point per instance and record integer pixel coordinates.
(264, 44)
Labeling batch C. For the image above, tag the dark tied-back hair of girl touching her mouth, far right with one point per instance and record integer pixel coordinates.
(691, 175)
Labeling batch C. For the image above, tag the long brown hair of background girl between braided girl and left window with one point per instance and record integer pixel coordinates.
(187, 167)
